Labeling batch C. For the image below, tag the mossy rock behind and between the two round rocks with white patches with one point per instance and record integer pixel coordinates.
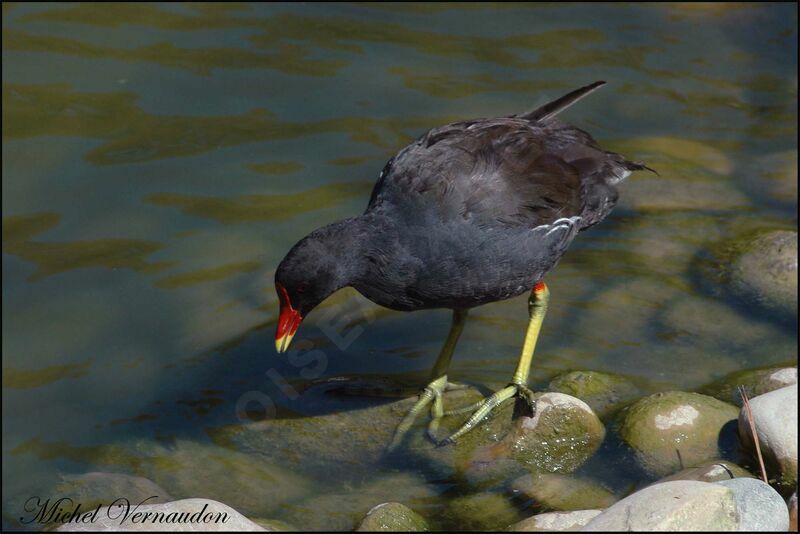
(603, 392)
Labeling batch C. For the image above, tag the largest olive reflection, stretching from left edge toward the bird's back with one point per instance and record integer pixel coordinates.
(132, 135)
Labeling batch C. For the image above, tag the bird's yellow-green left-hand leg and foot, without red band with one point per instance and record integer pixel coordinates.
(434, 392)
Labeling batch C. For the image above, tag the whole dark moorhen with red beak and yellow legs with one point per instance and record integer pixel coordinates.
(470, 213)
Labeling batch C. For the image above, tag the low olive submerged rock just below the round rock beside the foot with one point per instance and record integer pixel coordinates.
(550, 491)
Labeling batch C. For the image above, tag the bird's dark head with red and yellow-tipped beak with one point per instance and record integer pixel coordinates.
(314, 268)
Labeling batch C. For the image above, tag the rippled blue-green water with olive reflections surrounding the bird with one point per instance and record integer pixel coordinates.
(159, 160)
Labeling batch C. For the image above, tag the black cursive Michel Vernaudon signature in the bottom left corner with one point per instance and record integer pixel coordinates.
(122, 511)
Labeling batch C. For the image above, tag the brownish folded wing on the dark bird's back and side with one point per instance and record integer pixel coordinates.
(497, 172)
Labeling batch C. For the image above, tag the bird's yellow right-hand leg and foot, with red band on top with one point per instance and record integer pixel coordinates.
(537, 308)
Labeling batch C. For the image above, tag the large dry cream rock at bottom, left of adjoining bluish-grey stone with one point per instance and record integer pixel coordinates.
(676, 505)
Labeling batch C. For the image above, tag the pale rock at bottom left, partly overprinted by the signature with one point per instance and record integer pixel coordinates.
(187, 515)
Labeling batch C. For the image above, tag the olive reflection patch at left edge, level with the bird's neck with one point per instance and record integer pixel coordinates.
(58, 257)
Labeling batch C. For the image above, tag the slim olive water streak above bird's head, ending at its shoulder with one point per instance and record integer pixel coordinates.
(250, 208)
